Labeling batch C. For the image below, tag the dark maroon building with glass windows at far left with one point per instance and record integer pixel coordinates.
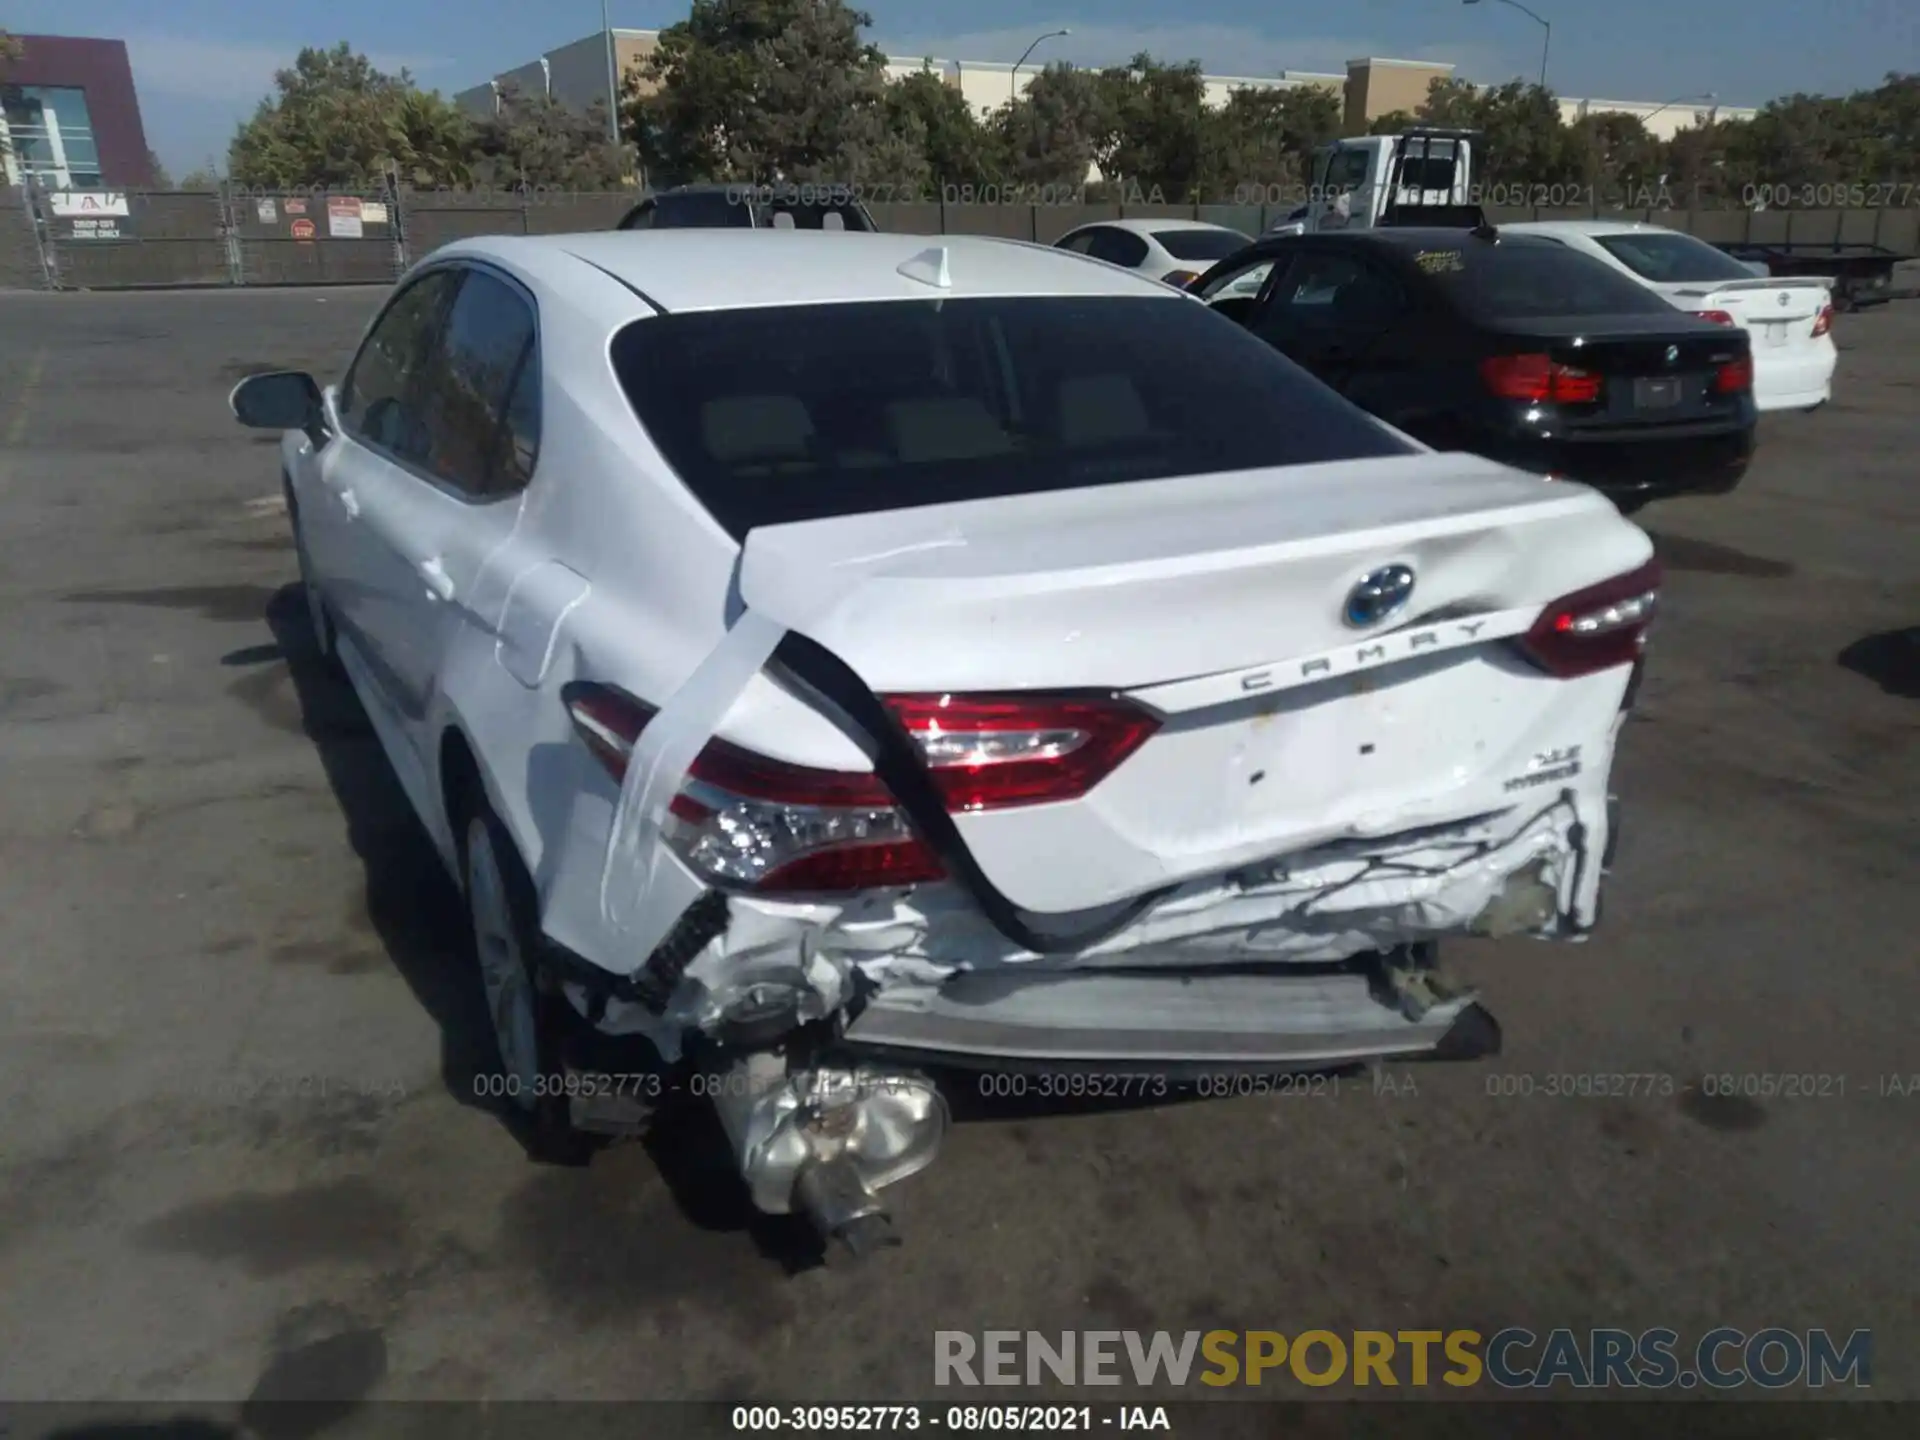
(70, 118)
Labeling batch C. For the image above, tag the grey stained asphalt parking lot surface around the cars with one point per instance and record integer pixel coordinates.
(243, 1153)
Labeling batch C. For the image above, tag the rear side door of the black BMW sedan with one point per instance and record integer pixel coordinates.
(1328, 312)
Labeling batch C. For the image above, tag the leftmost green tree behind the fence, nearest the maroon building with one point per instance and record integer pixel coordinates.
(341, 122)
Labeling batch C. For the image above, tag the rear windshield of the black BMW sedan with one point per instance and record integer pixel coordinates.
(1520, 281)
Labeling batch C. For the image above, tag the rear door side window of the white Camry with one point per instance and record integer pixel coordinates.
(481, 395)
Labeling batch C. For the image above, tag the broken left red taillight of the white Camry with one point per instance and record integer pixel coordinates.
(754, 823)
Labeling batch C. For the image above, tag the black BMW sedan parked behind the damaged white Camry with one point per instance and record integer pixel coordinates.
(1508, 347)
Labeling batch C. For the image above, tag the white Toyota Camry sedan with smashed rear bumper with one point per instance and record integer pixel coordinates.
(834, 661)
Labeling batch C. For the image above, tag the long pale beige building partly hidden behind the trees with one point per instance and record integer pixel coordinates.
(579, 76)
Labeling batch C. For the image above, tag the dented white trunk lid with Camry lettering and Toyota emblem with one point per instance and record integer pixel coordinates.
(1220, 604)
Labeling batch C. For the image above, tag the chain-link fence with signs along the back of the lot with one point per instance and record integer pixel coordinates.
(247, 237)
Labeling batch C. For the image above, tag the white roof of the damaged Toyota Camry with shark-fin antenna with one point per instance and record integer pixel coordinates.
(752, 268)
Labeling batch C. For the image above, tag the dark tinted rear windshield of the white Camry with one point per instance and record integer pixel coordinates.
(809, 412)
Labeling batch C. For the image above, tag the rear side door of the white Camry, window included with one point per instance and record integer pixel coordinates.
(443, 523)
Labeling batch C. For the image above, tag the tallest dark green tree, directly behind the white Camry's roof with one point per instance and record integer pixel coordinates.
(767, 91)
